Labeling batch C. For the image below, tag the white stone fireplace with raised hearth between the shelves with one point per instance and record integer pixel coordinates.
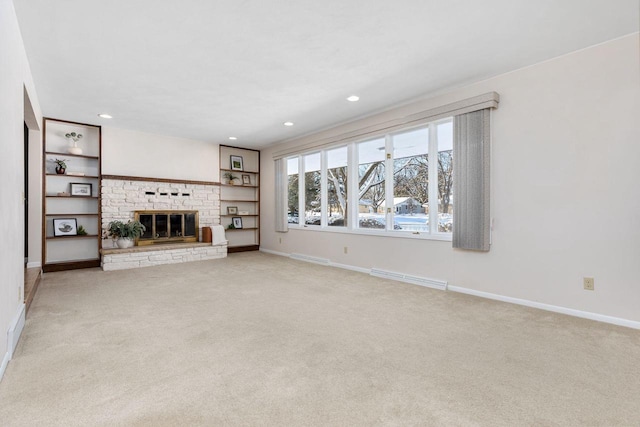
(173, 212)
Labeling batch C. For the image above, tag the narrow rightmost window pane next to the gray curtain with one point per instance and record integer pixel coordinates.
(445, 176)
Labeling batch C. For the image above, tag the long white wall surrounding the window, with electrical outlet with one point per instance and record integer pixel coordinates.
(564, 183)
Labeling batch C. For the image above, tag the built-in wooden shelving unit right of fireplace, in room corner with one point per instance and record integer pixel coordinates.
(244, 197)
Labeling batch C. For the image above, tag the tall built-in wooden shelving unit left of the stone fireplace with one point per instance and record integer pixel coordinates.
(72, 251)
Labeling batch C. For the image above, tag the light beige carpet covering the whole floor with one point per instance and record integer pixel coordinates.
(257, 339)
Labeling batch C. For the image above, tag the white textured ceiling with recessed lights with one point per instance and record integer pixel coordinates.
(208, 70)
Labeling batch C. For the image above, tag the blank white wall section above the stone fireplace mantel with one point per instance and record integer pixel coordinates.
(132, 153)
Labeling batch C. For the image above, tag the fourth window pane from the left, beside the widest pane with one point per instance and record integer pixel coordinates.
(371, 177)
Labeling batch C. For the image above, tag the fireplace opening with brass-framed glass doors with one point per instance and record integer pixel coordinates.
(171, 226)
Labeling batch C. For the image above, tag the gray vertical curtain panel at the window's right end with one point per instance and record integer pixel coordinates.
(471, 147)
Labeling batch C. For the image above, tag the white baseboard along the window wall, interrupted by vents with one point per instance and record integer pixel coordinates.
(548, 307)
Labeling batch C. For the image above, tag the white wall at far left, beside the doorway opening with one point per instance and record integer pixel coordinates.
(15, 75)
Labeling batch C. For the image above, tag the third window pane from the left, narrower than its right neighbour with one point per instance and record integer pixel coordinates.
(337, 187)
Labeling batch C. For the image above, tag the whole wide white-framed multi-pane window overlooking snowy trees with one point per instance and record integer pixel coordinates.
(404, 184)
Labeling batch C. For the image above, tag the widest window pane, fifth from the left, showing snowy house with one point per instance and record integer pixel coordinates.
(411, 180)
